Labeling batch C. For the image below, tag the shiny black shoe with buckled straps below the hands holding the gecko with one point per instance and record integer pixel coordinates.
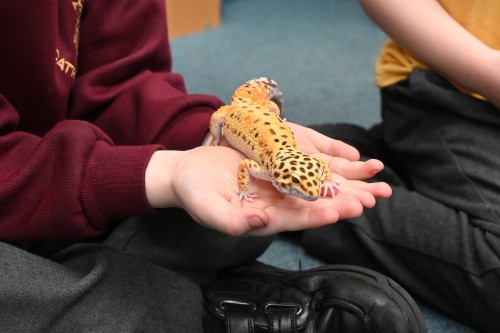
(337, 298)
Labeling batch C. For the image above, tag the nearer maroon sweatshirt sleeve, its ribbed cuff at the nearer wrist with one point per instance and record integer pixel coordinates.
(68, 184)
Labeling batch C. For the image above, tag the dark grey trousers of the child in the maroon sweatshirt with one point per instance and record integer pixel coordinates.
(143, 276)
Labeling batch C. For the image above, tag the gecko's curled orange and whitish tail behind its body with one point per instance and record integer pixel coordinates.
(262, 88)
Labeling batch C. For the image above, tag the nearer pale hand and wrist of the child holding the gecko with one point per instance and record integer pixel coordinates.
(203, 181)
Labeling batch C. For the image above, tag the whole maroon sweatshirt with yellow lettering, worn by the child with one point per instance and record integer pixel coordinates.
(86, 96)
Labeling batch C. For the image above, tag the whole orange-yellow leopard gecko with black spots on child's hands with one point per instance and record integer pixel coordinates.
(252, 124)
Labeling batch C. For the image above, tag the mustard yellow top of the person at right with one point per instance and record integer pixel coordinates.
(480, 17)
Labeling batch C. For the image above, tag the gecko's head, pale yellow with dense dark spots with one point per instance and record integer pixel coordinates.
(298, 174)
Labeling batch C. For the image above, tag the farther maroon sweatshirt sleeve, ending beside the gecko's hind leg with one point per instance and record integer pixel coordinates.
(125, 68)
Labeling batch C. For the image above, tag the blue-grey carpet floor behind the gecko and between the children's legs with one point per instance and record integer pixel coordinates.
(321, 52)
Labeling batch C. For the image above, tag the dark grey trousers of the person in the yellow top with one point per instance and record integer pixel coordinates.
(439, 233)
